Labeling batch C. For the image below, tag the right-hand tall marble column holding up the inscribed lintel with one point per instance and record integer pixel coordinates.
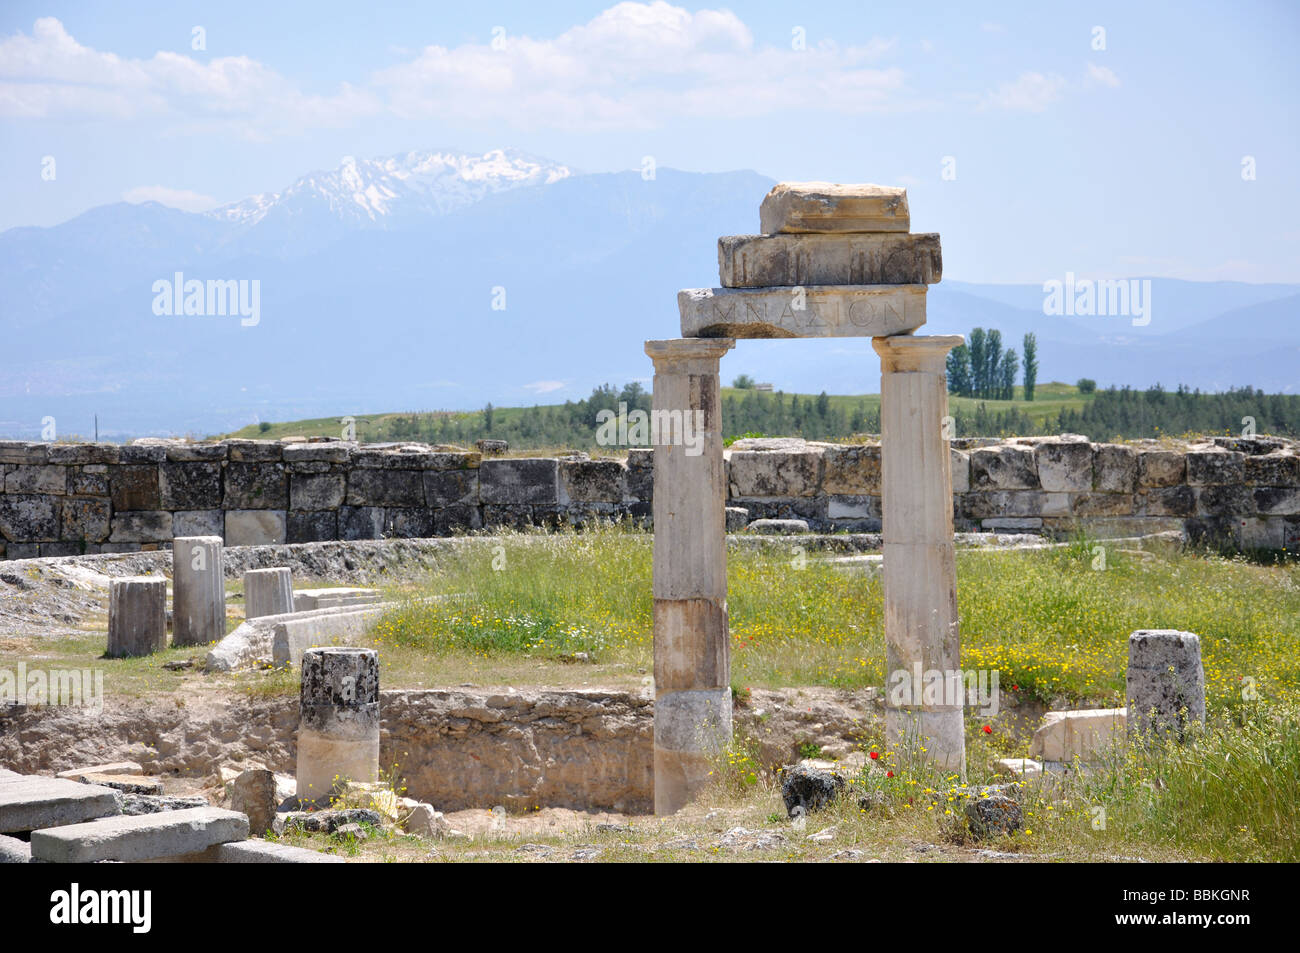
(924, 700)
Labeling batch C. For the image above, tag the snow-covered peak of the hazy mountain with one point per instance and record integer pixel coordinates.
(379, 193)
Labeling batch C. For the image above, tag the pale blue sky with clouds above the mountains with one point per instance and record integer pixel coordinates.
(1117, 162)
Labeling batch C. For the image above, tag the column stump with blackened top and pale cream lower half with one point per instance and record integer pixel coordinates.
(339, 737)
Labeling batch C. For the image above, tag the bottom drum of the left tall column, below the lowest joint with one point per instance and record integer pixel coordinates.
(691, 731)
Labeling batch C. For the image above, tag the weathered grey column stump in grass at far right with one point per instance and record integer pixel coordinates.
(1167, 683)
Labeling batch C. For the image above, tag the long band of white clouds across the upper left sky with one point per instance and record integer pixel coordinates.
(634, 66)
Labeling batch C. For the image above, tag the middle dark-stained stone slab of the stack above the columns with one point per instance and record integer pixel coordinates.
(782, 261)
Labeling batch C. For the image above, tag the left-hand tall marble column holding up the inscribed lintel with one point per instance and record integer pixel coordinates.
(692, 652)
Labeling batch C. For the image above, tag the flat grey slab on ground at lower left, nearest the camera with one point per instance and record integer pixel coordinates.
(142, 838)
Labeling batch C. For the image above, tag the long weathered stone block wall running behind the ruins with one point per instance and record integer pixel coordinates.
(73, 499)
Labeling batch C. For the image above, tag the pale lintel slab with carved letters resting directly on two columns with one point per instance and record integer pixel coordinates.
(817, 311)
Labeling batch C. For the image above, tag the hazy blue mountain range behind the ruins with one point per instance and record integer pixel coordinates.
(443, 281)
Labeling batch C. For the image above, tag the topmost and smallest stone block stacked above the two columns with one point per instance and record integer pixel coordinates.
(795, 207)
